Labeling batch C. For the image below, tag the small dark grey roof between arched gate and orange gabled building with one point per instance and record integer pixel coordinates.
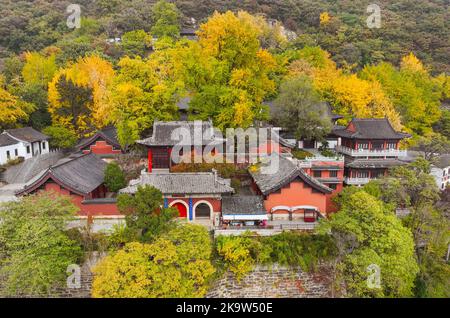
(243, 204)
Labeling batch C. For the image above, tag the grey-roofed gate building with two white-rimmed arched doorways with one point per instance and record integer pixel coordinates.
(196, 195)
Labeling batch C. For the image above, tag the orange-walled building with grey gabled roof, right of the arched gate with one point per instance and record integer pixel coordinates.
(289, 192)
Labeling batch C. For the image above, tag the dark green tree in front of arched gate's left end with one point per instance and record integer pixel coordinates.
(145, 215)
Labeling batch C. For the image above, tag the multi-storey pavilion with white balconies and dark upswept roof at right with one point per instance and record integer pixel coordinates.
(370, 147)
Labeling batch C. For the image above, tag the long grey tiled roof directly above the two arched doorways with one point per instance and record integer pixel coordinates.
(182, 183)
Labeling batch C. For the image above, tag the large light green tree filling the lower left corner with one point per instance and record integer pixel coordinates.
(35, 249)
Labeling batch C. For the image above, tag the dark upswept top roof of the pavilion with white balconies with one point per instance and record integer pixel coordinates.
(371, 128)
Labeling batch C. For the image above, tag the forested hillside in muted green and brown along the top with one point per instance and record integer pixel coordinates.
(418, 26)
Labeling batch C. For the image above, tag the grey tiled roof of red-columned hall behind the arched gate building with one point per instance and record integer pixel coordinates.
(170, 133)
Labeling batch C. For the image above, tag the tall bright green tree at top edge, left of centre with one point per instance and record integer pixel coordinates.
(166, 19)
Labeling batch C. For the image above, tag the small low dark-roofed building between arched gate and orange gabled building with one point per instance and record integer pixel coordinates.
(243, 211)
